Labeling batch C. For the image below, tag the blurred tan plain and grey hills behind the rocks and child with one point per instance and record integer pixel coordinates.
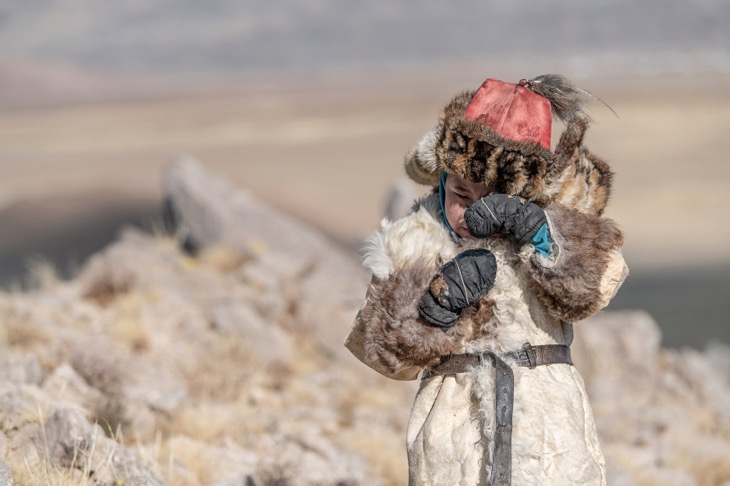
(311, 104)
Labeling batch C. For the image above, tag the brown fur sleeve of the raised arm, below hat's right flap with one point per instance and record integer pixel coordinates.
(588, 268)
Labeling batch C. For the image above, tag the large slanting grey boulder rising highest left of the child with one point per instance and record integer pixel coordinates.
(316, 275)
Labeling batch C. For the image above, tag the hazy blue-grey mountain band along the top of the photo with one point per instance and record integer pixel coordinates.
(223, 37)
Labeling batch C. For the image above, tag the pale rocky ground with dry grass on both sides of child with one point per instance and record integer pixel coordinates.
(210, 353)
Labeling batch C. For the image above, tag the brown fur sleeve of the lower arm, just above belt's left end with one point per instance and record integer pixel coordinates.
(389, 334)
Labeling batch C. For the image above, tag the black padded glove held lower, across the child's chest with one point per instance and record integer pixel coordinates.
(460, 283)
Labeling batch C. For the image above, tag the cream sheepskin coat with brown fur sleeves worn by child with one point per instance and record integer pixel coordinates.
(535, 299)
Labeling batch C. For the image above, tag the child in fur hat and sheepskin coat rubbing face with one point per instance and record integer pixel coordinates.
(479, 286)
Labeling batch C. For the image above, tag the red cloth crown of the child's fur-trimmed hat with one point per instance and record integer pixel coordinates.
(513, 111)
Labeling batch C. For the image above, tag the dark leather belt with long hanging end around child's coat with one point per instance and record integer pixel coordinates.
(504, 393)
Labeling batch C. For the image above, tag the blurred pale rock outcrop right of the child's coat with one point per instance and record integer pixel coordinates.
(663, 415)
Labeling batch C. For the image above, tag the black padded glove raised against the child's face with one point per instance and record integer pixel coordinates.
(500, 213)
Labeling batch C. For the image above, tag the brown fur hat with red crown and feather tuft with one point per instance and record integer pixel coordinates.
(499, 136)
